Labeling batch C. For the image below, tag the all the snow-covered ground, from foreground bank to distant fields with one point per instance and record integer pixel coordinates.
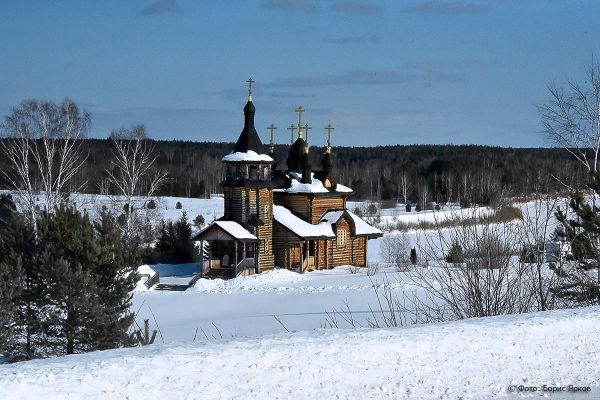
(230, 339)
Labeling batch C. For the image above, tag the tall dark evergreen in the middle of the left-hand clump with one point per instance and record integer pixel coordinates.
(68, 254)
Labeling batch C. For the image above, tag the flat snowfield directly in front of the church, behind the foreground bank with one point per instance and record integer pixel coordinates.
(246, 306)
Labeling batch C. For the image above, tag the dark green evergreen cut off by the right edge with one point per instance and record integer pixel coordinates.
(581, 281)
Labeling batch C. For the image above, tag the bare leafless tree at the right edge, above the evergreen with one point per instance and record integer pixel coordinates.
(571, 117)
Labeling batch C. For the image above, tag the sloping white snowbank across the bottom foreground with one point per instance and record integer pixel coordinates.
(470, 359)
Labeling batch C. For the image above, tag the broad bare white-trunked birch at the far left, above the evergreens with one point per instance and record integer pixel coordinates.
(42, 142)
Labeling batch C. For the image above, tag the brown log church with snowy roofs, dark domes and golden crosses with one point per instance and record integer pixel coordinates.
(294, 218)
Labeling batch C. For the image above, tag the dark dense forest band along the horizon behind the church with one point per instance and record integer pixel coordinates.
(415, 173)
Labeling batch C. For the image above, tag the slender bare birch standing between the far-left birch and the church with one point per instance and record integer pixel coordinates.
(133, 173)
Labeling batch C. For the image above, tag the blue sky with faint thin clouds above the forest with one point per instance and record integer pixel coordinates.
(382, 72)
